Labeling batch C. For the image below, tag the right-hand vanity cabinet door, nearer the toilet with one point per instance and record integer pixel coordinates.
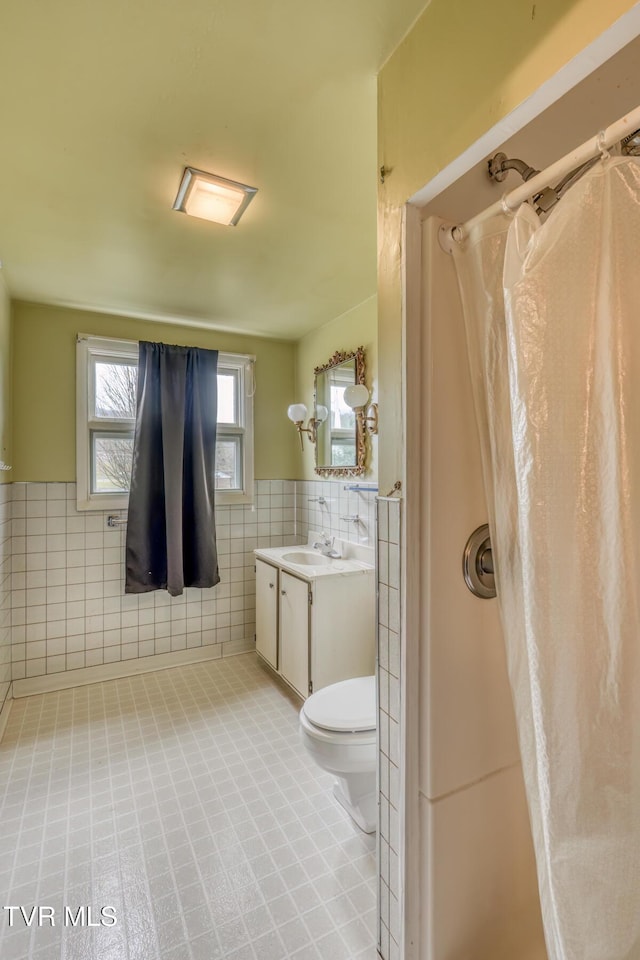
(294, 632)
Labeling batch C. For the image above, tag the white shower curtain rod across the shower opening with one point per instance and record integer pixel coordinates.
(590, 148)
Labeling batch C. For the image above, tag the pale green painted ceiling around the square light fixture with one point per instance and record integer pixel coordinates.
(103, 104)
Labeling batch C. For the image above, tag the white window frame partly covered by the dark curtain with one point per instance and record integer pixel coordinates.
(91, 348)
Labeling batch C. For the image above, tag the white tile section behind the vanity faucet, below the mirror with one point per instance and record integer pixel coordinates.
(323, 505)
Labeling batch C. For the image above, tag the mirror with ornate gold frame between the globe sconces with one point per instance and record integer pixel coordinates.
(340, 444)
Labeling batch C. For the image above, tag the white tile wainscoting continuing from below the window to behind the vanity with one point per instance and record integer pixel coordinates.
(65, 591)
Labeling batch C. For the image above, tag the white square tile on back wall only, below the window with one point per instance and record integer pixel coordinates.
(68, 607)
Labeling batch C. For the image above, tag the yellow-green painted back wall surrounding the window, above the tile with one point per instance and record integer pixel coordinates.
(44, 391)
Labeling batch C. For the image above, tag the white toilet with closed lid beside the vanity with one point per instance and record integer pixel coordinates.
(338, 730)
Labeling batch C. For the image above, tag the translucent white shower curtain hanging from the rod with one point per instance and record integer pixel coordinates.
(553, 324)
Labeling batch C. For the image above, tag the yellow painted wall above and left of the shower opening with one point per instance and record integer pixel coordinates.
(463, 67)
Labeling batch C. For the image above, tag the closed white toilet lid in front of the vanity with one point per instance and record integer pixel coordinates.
(346, 706)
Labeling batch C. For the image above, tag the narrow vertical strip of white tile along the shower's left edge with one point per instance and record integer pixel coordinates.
(389, 725)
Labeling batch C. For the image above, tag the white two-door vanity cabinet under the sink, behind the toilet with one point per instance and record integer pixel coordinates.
(314, 626)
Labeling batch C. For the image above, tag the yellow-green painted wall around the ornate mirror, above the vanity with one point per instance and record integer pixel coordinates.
(356, 328)
